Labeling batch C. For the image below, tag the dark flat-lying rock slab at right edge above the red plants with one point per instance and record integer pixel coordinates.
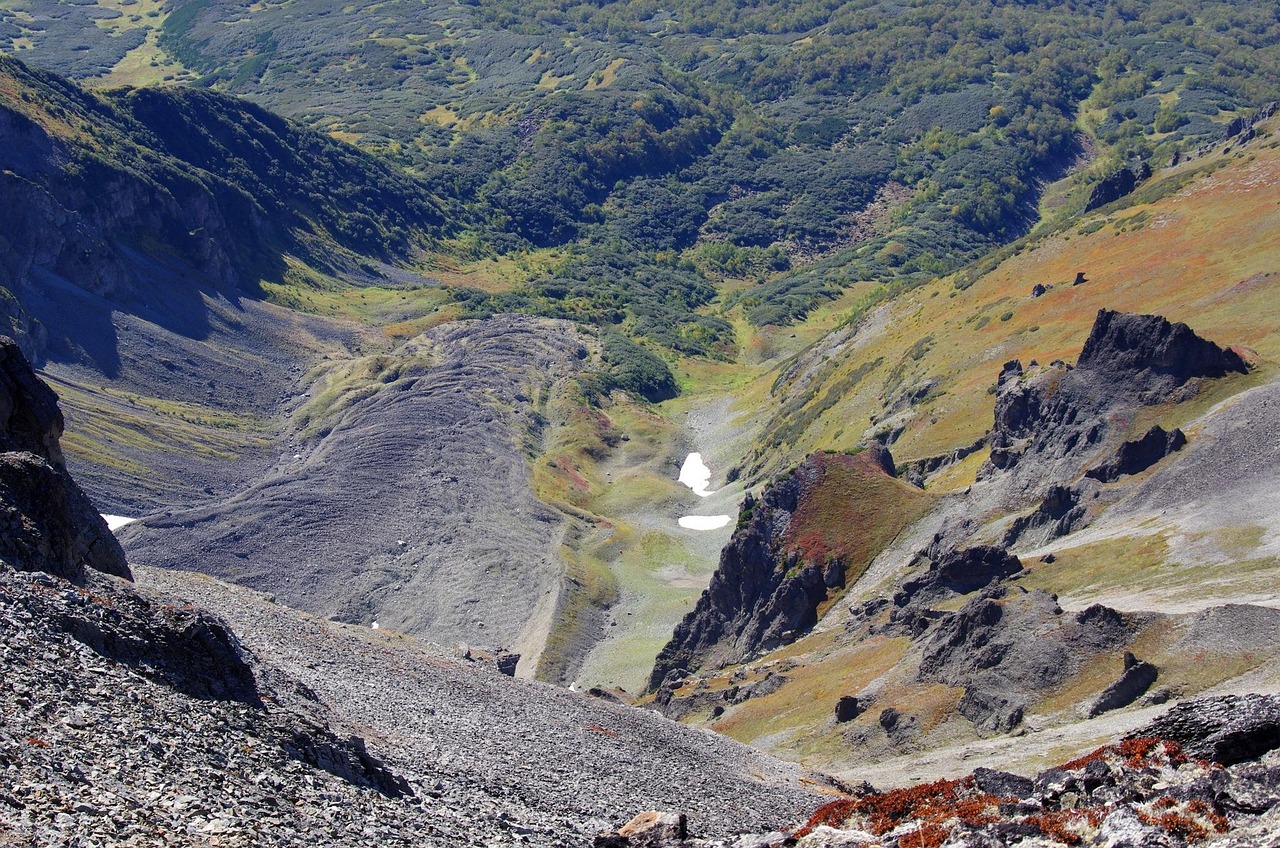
(1226, 730)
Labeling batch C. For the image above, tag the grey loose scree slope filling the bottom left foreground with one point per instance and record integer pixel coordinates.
(186, 712)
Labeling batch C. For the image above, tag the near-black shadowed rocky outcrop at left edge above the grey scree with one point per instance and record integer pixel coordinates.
(47, 522)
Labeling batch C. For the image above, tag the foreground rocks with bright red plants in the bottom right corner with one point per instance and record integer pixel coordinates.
(1205, 773)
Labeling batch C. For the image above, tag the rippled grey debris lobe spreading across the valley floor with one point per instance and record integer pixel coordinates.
(412, 505)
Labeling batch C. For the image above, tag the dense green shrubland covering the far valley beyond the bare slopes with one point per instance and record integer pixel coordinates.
(798, 147)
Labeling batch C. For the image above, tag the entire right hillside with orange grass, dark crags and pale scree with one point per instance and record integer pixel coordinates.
(1030, 418)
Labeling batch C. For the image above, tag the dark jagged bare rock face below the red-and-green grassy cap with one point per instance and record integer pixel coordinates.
(771, 578)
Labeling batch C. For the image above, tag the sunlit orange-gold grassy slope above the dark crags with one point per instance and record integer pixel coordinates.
(1197, 245)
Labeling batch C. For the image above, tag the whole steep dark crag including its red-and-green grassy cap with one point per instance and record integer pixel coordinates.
(796, 548)
